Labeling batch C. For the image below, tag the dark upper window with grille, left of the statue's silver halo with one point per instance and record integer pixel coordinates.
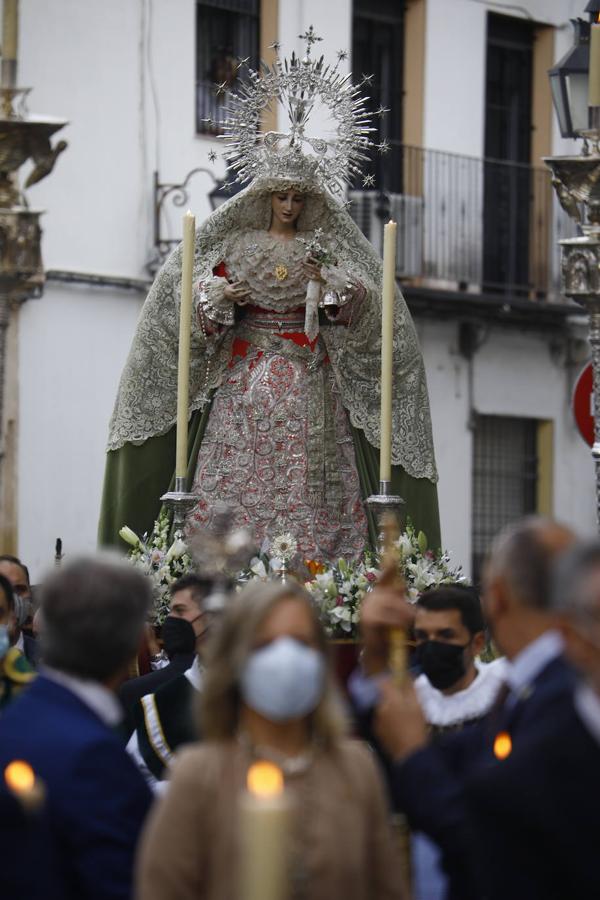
(227, 31)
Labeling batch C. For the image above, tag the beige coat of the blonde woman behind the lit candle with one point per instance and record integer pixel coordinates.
(340, 830)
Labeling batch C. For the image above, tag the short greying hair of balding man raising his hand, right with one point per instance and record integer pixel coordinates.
(524, 554)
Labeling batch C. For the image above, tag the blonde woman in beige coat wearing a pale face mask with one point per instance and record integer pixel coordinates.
(269, 694)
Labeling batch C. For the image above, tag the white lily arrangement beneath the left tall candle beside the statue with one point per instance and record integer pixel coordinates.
(162, 560)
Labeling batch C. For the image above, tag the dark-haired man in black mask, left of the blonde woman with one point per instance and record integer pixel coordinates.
(182, 633)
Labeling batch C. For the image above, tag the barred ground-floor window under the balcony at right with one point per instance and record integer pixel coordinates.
(505, 476)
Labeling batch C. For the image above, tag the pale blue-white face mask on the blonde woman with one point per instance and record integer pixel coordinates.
(284, 680)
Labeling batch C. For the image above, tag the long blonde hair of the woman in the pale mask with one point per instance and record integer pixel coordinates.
(233, 642)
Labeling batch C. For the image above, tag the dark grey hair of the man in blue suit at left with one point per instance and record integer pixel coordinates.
(93, 611)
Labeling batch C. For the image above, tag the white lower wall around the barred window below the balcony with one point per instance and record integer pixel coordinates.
(514, 374)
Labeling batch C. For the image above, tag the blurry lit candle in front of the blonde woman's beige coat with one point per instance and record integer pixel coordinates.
(264, 828)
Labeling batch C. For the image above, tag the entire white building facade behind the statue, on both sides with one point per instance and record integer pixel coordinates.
(123, 74)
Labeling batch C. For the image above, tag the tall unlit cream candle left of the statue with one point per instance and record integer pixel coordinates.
(185, 327)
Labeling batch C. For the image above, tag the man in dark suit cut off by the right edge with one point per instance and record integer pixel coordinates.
(552, 843)
